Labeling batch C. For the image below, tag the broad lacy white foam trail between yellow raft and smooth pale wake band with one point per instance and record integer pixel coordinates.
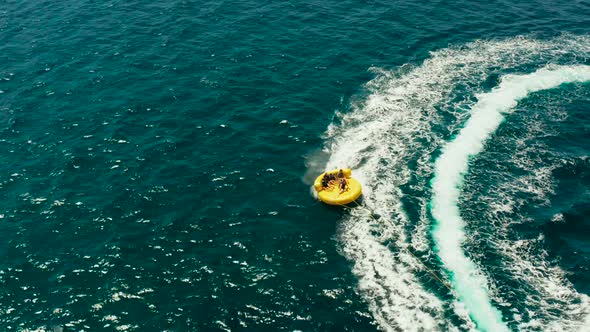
(389, 139)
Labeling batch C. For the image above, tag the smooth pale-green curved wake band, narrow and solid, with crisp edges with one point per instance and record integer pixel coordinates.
(450, 168)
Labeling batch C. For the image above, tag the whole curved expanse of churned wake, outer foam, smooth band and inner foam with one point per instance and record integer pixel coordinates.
(389, 137)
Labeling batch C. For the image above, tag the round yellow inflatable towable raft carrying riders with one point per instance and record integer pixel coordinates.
(332, 193)
